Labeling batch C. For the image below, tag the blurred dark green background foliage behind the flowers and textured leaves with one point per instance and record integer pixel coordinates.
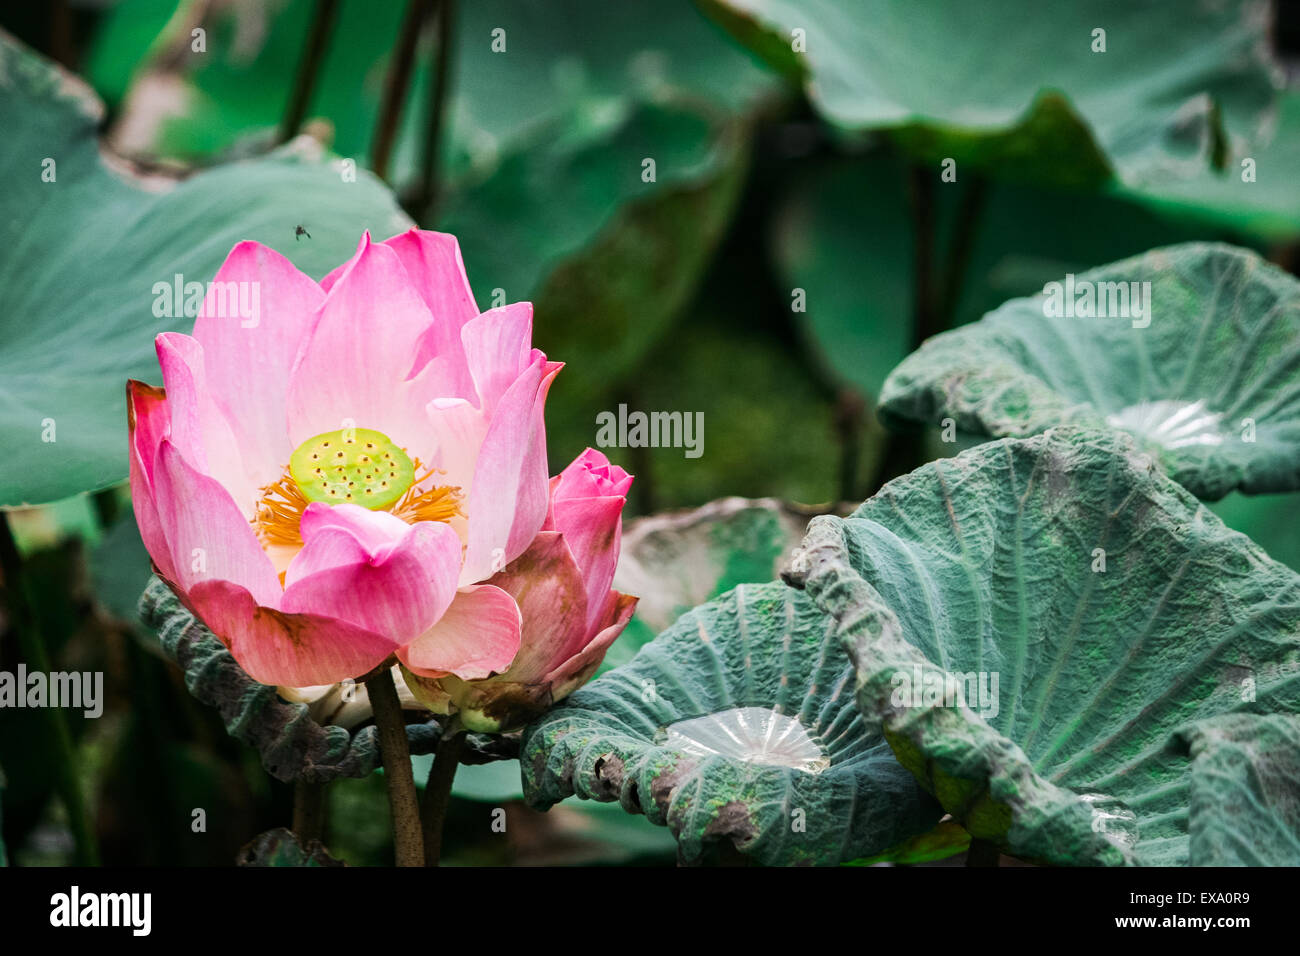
(795, 244)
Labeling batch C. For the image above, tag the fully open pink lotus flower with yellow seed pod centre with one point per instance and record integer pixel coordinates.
(333, 483)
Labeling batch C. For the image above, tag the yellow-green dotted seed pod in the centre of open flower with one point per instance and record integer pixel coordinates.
(353, 466)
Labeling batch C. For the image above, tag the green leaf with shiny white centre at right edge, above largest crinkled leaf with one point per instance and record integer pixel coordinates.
(1208, 375)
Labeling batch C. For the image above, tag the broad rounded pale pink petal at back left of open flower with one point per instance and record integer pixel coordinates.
(249, 366)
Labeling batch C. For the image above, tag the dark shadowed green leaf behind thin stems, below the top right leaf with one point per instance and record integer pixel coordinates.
(843, 236)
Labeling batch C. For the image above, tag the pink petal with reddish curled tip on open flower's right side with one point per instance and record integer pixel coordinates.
(510, 494)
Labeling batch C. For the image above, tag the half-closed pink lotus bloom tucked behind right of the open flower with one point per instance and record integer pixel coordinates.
(571, 613)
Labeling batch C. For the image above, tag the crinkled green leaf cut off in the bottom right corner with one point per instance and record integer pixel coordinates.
(1246, 790)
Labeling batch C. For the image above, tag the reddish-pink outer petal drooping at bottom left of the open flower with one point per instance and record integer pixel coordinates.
(287, 650)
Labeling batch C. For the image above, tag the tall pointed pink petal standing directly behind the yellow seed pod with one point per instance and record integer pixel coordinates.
(354, 367)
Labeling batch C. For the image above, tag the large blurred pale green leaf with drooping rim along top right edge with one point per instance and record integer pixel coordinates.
(1017, 89)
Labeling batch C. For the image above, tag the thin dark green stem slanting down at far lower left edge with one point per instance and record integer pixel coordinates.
(32, 646)
